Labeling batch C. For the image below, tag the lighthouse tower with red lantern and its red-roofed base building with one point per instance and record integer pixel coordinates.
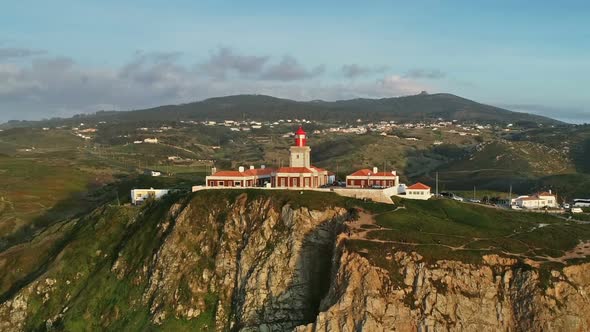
(300, 173)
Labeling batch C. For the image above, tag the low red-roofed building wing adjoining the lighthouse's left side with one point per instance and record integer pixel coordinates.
(253, 177)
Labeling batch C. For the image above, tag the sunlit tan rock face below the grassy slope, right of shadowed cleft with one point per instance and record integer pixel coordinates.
(452, 296)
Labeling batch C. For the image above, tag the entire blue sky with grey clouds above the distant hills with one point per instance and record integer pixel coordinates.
(64, 57)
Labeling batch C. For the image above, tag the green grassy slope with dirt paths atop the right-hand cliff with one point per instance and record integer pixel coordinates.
(445, 229)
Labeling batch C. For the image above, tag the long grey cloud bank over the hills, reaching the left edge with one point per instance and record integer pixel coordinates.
(60, 86)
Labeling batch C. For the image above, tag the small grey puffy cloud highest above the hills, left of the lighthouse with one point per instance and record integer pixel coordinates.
(225, 61)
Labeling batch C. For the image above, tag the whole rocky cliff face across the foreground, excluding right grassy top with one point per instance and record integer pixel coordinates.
(225, 263)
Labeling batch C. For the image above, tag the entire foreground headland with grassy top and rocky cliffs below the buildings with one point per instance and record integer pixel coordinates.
(260, 260)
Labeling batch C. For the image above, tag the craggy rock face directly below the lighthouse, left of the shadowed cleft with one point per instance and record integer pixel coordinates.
(267, 266)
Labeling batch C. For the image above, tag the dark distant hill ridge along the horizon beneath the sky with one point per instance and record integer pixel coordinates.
(266, 108)
